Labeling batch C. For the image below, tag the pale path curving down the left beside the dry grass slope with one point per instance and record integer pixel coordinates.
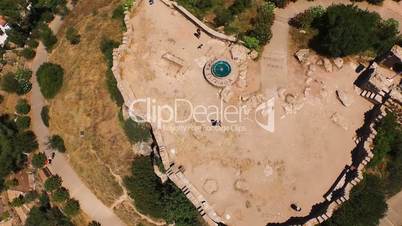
(90, 204)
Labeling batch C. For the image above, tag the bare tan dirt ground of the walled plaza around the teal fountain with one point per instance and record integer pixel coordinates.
(252, 176)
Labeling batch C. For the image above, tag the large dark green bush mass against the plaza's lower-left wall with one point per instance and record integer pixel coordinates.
(159, 200)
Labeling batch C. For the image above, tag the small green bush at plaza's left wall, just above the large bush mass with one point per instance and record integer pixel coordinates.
(135, 131)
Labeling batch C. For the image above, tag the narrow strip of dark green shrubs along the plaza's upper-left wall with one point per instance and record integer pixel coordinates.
(107, 47)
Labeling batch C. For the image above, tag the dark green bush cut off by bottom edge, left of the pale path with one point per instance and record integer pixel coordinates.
(47, 216)
